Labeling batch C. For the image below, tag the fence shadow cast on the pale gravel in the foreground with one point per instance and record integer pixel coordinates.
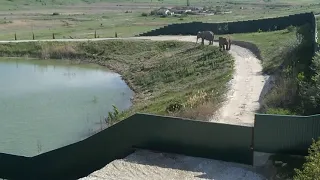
(205, 168)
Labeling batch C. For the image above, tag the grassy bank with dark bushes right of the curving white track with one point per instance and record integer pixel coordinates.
(286, 55)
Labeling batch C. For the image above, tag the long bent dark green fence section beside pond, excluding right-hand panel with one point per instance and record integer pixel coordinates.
(167, 134)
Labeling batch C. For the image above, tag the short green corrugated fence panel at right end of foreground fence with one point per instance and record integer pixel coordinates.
(281, 134)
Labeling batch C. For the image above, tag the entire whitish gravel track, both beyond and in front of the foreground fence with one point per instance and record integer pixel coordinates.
(242, 101)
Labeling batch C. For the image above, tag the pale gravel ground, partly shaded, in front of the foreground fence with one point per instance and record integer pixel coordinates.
(146, 165)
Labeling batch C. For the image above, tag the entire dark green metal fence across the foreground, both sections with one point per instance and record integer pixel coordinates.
(271, 133)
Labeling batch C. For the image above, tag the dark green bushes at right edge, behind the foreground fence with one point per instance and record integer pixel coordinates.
(296, 86)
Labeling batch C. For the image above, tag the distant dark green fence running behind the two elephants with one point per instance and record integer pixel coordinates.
(249, 26)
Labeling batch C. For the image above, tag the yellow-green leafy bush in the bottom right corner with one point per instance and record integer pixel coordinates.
(311, 168)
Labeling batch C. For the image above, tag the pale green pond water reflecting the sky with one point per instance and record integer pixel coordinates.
(45, 105)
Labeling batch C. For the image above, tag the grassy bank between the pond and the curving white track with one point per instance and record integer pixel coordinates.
(168, 77)
